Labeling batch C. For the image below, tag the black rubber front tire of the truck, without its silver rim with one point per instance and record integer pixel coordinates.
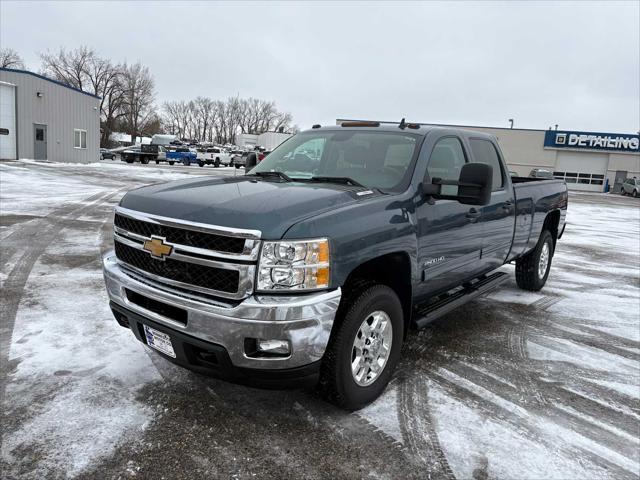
(336, 380)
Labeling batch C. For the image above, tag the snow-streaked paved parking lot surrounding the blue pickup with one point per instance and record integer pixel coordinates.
(513, 385)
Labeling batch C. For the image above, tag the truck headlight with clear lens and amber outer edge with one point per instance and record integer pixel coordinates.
(294, 265)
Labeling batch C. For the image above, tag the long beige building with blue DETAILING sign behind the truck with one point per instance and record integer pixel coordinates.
(587, 161)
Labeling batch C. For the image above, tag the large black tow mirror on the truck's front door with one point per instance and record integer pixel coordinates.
(474, 185)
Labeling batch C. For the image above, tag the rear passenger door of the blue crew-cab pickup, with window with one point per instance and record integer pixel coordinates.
(498, 218)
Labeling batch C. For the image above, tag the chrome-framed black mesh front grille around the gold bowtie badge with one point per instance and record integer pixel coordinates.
(207, 259)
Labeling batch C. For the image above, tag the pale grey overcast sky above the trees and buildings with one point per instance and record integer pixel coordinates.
(573, 64)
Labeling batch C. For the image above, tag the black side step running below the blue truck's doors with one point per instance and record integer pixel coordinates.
(447, 302)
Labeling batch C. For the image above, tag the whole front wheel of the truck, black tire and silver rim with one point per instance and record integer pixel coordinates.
(364, 348)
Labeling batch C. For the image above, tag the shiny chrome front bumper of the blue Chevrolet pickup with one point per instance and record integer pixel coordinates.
(304, 320)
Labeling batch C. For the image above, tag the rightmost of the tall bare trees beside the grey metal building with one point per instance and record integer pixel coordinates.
(138, 96)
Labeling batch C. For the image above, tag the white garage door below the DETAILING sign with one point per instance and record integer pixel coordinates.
(582, 171)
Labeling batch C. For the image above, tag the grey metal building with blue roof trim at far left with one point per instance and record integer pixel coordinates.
(43, 119)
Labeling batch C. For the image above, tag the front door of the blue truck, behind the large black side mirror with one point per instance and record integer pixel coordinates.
(449, 233)
